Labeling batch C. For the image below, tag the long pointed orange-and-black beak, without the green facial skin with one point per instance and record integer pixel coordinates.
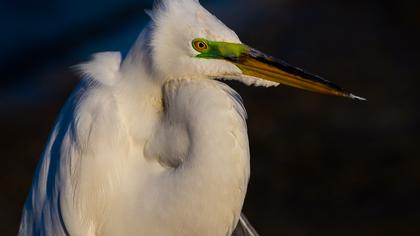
(257, 64)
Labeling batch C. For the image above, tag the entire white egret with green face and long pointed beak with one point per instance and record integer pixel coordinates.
(152, 144)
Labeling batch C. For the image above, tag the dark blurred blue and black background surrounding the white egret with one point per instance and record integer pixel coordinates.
(320, 165)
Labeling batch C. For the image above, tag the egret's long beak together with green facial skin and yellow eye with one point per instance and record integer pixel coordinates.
(257, 64)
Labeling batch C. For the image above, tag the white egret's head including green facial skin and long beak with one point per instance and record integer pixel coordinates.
(189, 42)
